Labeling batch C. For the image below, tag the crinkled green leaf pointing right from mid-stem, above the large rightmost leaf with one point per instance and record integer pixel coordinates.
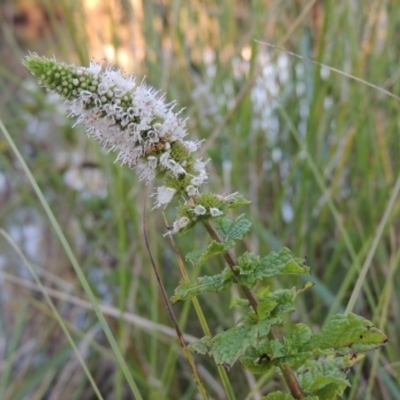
(253, 269)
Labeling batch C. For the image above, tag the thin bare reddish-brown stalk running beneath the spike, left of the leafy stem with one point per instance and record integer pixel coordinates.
(171, 313)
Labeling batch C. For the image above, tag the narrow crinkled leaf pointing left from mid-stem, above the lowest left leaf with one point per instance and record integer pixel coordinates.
(213, 283)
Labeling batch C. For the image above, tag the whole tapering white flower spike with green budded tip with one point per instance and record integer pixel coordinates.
(133, 120)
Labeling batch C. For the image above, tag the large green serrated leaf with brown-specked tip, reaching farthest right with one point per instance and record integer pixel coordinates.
(348, 334)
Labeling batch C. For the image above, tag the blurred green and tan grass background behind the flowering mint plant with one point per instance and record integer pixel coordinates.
(317, 153)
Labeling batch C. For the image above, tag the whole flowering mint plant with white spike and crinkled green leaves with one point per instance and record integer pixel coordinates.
(149, 136)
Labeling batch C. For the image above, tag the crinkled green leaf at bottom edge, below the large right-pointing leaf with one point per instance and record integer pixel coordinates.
(324, 377)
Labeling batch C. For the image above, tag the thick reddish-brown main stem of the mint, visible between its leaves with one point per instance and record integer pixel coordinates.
(287, 372)
